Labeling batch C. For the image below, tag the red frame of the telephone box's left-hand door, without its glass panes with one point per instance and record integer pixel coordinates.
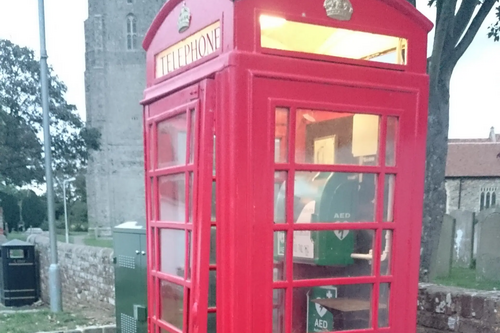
(195, 295)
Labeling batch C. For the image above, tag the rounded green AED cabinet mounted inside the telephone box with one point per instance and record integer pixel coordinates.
(336, 202)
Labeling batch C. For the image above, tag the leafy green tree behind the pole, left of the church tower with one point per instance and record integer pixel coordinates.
(21, 145)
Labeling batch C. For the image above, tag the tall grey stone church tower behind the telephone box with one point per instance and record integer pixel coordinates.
(114, 81)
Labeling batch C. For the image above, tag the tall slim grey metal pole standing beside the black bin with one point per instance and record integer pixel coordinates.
(54, 274)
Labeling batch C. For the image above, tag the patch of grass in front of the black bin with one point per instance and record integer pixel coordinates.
(44, 321)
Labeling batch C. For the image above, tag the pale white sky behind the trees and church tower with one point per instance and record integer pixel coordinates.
(475, 86)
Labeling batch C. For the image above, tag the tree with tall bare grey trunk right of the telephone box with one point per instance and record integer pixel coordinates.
(457, 23)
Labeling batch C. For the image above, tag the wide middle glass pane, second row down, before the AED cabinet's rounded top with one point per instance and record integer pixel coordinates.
(334, 197)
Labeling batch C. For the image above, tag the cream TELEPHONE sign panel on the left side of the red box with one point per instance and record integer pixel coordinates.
(193, 48)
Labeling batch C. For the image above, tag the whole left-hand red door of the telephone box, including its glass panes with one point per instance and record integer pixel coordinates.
(179, 136)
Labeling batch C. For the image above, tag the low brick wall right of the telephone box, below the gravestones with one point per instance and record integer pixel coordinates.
(447, 309)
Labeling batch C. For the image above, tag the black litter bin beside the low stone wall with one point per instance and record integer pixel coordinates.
(18, 276)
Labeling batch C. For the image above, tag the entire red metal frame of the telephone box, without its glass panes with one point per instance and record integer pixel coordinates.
(248, 83)
